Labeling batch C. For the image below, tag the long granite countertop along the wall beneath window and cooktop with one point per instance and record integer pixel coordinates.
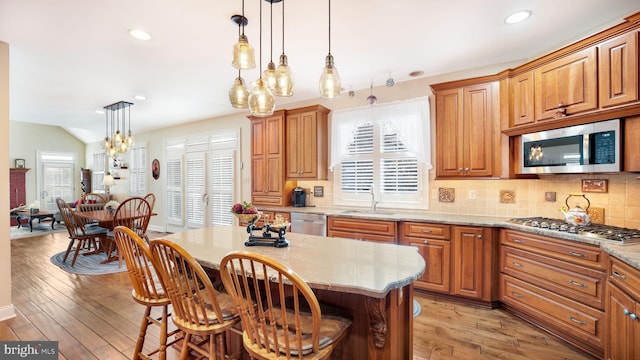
(629, 253)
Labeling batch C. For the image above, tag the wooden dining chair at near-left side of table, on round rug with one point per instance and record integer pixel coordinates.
(79, 234)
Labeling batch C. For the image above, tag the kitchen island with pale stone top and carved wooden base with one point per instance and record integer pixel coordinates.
(371, 281)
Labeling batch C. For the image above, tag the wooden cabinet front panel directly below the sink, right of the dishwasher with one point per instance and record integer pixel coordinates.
(362, 229)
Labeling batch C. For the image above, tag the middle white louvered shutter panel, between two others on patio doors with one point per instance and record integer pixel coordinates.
(194, 189)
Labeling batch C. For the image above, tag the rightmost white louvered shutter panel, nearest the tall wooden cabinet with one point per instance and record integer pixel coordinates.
(221, 181)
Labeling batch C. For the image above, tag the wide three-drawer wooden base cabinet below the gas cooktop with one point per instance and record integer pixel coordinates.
(557, 285)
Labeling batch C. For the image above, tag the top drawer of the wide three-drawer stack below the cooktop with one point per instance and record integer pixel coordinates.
(573, 252)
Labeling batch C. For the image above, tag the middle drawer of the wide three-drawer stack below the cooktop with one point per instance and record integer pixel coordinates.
(573, 281)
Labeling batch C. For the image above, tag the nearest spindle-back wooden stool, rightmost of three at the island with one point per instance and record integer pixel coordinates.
(281, 316)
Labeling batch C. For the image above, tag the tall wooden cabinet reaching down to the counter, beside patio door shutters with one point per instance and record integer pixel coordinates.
(268, 186)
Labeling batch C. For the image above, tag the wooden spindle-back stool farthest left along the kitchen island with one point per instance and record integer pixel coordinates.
(147, 290)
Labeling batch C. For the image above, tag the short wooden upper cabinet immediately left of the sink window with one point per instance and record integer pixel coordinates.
(307, 142)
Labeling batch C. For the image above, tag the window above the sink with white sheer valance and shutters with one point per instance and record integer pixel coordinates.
(382, 154)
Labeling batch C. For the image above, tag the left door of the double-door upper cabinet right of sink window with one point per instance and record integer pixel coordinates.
(449, 133)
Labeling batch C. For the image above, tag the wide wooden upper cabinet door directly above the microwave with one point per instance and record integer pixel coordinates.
(569, 83)
